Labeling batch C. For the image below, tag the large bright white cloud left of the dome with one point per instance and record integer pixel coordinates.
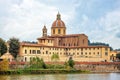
(27, 19)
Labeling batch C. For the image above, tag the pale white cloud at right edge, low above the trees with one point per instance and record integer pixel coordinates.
(110, 24)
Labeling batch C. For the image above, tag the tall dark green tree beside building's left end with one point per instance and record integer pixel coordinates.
(14, 46)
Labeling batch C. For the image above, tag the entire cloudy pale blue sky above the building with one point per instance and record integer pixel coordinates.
(24, 19)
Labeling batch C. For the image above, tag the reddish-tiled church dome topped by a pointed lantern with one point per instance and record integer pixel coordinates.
(58, 22)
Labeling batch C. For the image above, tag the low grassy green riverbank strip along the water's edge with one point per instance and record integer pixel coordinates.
(43, 71)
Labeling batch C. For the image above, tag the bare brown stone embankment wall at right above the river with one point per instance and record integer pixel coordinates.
(98, 66)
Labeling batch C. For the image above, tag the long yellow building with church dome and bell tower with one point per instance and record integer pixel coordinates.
(66, 46)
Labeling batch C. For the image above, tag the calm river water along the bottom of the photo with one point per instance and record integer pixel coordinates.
(95, 76)
